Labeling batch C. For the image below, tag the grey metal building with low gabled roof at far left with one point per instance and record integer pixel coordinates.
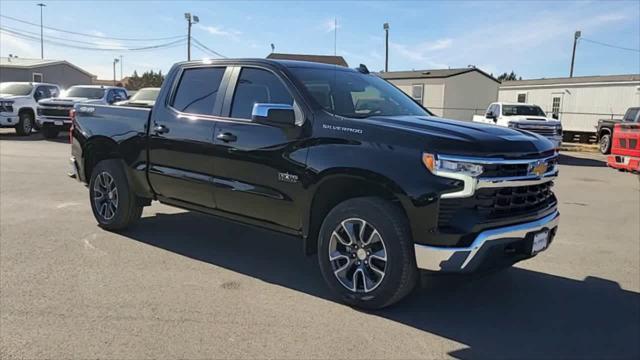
(59, 72)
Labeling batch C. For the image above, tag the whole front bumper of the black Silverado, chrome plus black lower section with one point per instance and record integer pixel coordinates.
(507, 244)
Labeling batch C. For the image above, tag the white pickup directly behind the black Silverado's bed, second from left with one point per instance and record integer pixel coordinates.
(53, 114)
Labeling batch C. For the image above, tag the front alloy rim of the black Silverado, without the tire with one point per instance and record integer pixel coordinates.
(358, 255)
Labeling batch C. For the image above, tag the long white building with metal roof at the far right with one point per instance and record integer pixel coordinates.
(579, 102)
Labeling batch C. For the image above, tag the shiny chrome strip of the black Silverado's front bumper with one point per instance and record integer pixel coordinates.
(457, 259)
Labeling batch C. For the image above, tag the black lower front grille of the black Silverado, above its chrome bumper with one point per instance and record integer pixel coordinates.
(492, 204)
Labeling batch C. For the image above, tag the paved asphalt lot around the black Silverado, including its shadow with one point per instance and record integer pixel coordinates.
(183, 285)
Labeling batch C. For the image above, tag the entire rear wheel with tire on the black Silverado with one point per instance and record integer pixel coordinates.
(114, 205)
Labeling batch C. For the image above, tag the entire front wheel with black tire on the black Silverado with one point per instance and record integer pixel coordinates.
(345, 273)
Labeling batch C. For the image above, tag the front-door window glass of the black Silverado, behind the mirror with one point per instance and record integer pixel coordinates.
(257, 86)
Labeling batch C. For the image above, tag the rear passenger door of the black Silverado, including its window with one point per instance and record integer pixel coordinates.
(181, 137)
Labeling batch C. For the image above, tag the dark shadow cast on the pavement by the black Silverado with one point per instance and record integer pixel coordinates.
(515, 313)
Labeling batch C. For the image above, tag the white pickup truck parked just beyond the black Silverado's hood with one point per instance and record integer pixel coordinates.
(521, 116)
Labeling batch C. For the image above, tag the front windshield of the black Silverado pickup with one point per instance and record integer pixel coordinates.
(356, 95)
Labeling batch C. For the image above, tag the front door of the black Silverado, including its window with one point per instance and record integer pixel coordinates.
(259, 167)
